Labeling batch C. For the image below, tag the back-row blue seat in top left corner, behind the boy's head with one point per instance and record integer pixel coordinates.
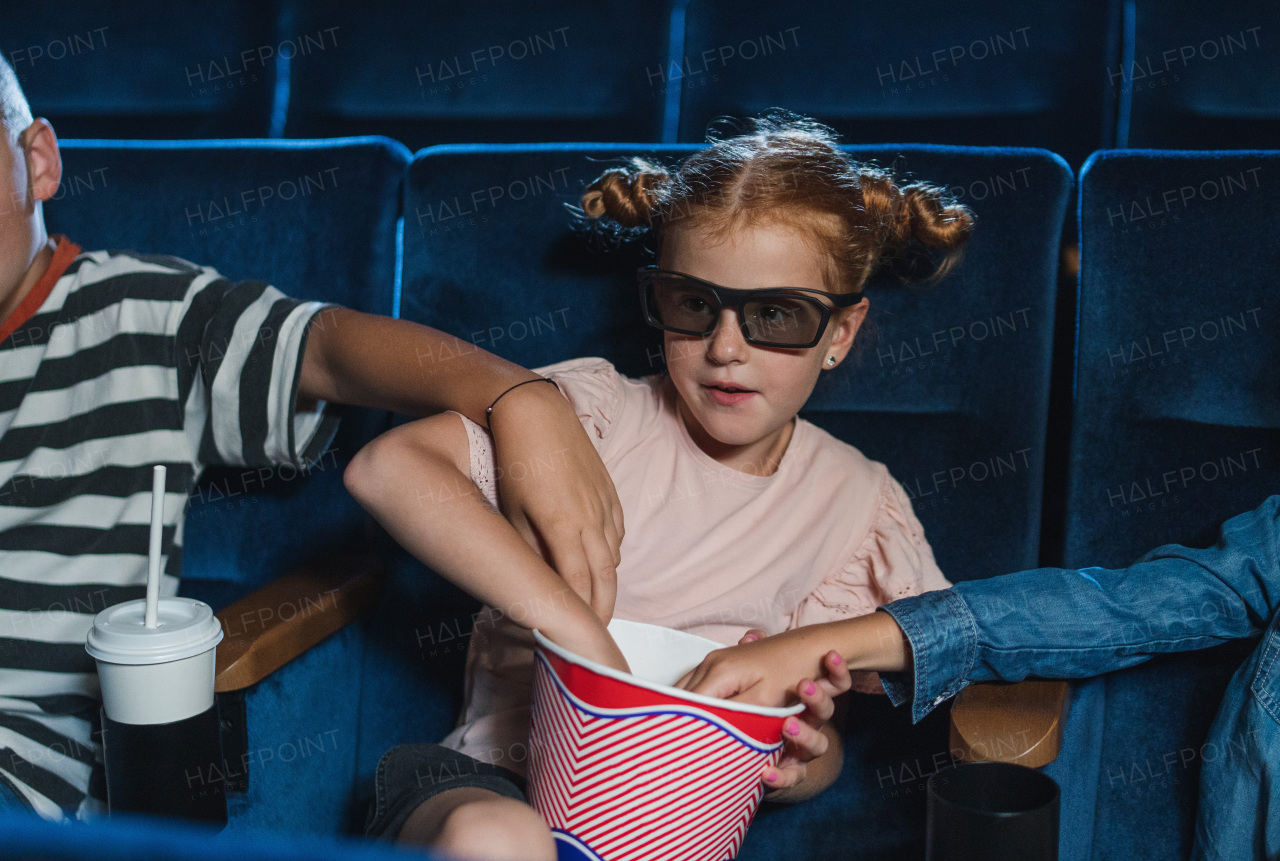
(147, 70)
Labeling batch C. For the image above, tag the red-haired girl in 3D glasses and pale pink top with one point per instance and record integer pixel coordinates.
(740, 515)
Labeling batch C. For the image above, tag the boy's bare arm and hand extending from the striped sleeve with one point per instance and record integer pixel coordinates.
(373, 361)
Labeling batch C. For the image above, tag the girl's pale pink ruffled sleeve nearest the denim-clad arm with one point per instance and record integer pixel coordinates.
(894, 561)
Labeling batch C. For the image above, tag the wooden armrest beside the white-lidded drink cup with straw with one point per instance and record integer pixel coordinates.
(277, 624)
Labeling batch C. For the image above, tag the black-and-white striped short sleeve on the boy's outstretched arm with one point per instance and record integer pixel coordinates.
(240, 352)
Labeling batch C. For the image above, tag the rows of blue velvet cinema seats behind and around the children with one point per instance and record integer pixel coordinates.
(1096, 379)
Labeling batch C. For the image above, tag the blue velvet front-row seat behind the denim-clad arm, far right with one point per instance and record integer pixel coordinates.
(1177, 429)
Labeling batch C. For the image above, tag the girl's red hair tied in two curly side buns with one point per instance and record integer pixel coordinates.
(787, 171)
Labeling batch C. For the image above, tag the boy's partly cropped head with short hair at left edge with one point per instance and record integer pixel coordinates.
(30, 172)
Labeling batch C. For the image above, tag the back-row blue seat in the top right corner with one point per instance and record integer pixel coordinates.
(1199, 77)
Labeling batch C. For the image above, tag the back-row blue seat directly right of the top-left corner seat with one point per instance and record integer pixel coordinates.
(435, 74)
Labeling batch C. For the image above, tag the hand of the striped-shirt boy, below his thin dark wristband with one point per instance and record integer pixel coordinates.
(555, 488)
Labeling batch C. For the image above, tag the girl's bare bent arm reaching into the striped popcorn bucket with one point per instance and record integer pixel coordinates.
(415, 482)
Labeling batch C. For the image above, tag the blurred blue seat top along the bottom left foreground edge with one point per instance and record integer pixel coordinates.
(131, 839)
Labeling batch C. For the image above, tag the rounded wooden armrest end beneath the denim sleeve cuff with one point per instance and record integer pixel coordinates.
(1003, 722)
